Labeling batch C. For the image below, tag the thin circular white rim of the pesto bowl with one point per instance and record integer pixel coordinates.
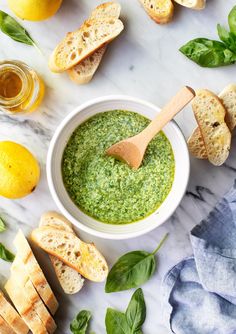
(65, 212)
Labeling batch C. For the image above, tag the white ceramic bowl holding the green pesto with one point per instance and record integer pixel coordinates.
(66, 205)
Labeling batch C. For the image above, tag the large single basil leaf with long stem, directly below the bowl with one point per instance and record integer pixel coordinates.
(132, 270)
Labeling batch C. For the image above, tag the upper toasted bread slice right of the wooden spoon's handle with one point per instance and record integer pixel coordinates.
(210, 115)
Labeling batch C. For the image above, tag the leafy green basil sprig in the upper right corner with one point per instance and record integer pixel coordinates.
(212, 53)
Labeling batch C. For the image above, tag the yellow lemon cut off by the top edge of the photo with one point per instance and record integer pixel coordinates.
(34, 10)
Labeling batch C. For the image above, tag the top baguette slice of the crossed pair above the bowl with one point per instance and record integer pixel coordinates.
(78, 45)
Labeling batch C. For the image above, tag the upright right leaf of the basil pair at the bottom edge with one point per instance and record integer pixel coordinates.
(136, 311)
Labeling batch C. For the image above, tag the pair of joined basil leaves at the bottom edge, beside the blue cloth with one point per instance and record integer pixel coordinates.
(129, 322)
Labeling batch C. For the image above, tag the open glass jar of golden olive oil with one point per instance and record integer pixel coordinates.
(21, 89)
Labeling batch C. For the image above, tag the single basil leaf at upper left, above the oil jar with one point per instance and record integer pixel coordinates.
(14, 30)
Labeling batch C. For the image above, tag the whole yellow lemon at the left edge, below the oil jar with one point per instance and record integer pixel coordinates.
(19, 170)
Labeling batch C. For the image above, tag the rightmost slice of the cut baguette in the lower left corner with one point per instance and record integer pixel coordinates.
(35, 272)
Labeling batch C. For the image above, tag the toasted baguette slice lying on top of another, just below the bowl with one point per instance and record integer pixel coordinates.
(84, 258)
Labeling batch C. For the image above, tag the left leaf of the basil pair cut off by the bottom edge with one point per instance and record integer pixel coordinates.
(116, 322)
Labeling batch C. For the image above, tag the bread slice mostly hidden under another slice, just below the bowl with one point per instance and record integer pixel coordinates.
(70, 280)
